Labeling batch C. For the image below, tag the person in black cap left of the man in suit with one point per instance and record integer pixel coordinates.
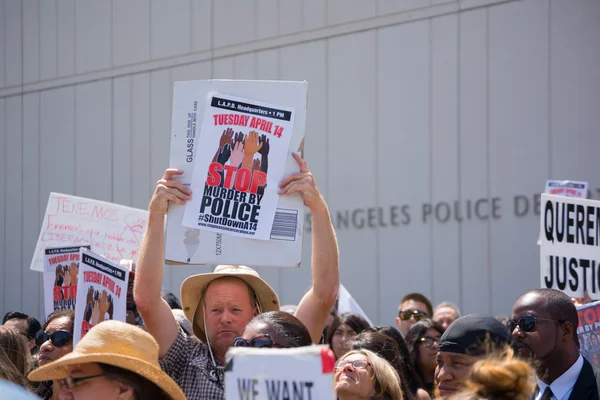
(467, 340)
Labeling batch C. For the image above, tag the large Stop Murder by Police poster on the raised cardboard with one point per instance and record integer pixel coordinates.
(241, 155)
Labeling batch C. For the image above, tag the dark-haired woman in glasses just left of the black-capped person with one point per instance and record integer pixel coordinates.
(423, 339)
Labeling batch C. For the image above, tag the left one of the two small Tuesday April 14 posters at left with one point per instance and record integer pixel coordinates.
(61, 268)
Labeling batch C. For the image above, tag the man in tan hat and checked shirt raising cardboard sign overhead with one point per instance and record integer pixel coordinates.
(219, 305)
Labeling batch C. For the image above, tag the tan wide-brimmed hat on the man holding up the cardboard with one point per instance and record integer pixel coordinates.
(192, 291)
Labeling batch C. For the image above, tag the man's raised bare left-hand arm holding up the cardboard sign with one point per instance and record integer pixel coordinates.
(157, 315)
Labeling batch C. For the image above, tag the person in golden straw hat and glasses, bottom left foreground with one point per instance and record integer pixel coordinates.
(113, 361)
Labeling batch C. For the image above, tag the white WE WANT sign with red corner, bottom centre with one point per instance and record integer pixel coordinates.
(278, 374)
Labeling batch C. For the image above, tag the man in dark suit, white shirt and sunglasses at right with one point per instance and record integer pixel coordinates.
(544, 325)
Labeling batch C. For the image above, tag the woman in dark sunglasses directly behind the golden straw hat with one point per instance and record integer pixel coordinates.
(55, 340)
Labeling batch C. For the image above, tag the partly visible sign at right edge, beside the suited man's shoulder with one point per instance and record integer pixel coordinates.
(588, 332)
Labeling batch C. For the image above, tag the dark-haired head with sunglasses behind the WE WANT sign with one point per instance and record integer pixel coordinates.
(274, 329)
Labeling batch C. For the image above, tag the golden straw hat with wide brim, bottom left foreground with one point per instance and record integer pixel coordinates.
(120, 345)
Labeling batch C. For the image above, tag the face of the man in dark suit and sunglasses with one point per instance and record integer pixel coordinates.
(544, 339)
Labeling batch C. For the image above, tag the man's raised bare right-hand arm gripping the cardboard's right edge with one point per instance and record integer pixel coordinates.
(314, 307)
